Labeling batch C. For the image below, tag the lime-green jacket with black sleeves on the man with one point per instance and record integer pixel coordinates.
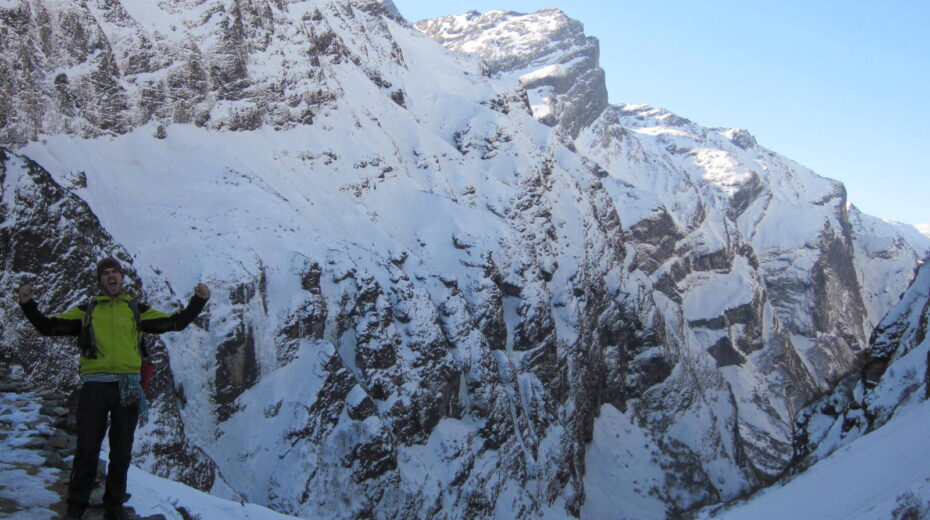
(115, 332)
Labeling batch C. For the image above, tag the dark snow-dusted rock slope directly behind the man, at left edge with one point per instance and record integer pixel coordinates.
(53, 258)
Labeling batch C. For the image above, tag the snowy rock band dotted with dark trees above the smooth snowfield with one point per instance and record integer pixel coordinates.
(105, 68)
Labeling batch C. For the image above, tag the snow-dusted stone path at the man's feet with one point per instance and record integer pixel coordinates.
(36, 449)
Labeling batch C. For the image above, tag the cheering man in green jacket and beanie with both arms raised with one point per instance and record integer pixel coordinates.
(110, 330)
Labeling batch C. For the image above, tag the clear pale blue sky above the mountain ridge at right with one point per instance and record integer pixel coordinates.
(841, 87)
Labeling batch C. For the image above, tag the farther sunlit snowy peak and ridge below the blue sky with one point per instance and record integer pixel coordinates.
(710, 215)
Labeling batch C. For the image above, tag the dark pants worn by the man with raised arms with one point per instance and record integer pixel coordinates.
(96, 403)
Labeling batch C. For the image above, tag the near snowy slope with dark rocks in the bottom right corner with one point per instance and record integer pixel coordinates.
(865, 447)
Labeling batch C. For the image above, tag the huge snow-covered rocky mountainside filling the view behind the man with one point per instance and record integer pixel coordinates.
(446, 285)
